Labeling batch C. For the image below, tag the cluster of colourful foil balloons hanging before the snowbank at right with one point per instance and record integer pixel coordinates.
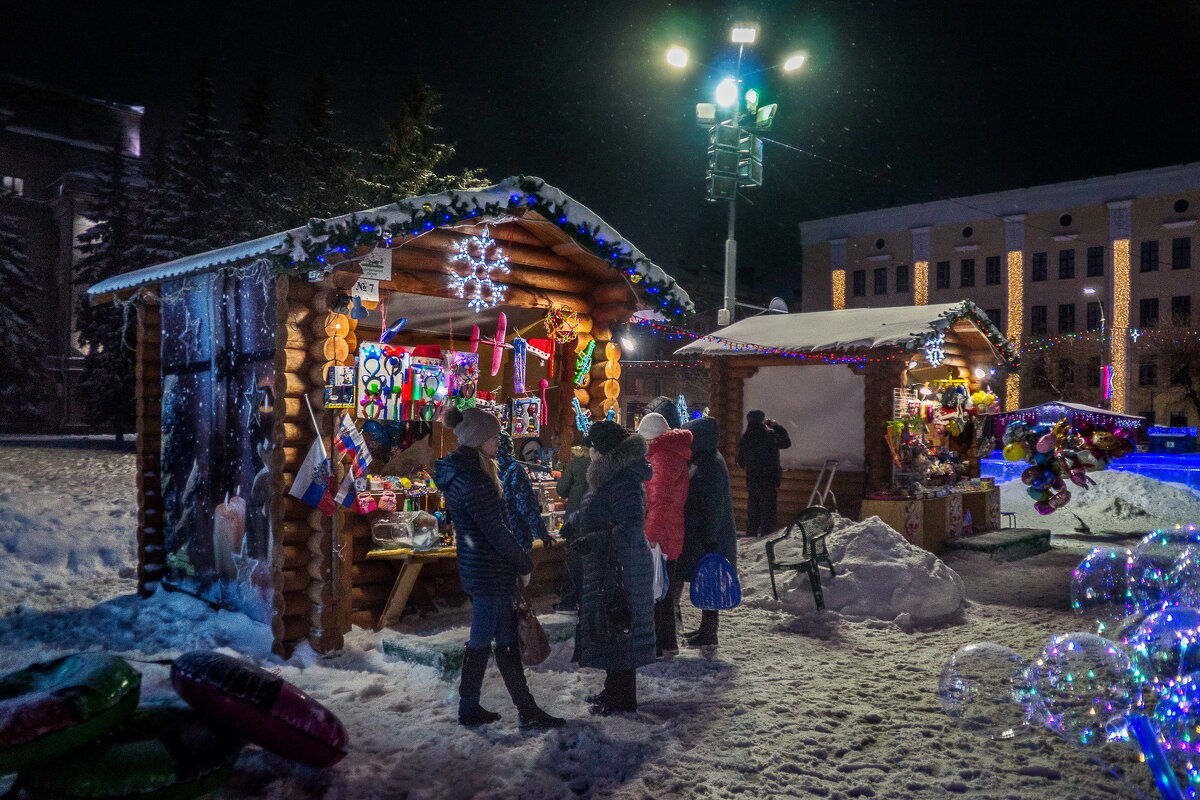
(1061, 454)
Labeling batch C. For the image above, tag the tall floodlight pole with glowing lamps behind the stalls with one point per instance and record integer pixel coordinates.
(735, 160)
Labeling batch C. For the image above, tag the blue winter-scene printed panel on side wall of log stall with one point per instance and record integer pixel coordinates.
(218, 368)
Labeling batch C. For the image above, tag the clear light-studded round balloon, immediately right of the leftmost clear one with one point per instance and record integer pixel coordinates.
(1078, 684)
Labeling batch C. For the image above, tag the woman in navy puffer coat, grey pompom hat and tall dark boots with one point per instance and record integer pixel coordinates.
(490, 564)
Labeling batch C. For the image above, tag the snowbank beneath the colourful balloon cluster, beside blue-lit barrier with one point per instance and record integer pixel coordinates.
(1120, 501)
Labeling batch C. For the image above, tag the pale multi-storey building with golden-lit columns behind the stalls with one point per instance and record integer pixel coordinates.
(1085, 275)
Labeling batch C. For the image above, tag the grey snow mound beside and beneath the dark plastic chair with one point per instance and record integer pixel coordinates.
(880, 576)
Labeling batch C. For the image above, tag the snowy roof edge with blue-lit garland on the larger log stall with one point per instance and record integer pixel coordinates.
(310, 244)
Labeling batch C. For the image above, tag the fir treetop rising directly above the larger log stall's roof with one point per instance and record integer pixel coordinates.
(410, 160)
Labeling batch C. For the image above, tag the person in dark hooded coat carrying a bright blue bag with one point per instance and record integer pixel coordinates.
(709, 520)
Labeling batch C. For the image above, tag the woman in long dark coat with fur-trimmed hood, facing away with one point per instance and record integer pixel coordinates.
(616, 566)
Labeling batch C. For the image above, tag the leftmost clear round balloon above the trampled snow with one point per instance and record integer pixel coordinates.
(977, 689)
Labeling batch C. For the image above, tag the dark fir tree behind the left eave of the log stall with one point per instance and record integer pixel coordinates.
(111, 246)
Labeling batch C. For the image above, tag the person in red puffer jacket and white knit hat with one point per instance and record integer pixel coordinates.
(670, 452)
